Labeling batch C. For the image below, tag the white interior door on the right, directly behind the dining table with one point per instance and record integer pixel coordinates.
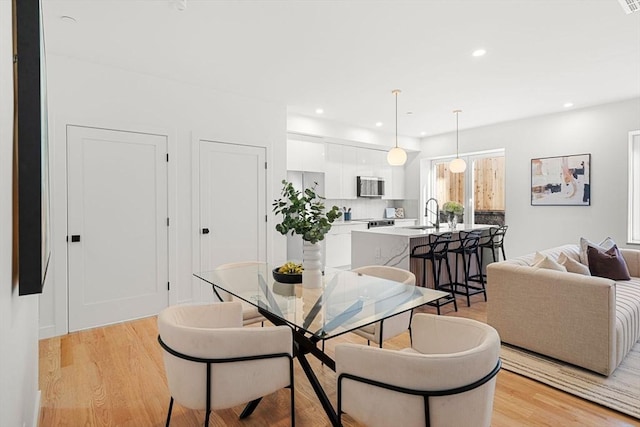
(232, 224)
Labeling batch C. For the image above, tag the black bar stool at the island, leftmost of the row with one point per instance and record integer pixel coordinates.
(438, 245)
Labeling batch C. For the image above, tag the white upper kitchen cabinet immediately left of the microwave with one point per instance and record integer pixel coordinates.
(340, 171)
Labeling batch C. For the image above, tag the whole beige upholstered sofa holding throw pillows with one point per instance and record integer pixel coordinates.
(588, 321)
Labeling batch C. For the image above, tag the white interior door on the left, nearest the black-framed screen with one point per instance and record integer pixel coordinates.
(117, 225)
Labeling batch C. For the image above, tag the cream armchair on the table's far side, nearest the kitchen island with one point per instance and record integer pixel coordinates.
(395, 325)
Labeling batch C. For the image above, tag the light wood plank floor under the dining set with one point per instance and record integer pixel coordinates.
(114, 376)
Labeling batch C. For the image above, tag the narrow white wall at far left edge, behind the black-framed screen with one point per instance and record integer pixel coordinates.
(18, 315)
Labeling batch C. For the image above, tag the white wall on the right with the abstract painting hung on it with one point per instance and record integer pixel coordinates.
(601, 131)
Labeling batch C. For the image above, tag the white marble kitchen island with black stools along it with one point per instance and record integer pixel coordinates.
(393, 245)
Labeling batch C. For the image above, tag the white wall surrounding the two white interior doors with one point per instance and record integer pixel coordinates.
(84, 93)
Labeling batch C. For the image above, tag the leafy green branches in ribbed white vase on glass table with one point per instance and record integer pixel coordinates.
(303, 213)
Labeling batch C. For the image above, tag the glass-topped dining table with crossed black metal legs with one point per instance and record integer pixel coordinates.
(346, 301)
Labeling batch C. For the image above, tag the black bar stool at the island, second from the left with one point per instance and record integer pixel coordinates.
(468, 249)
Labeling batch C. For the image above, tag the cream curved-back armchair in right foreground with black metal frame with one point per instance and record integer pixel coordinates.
(447, 377)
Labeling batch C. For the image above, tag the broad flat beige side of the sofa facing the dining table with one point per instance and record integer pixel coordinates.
(566, 316)
